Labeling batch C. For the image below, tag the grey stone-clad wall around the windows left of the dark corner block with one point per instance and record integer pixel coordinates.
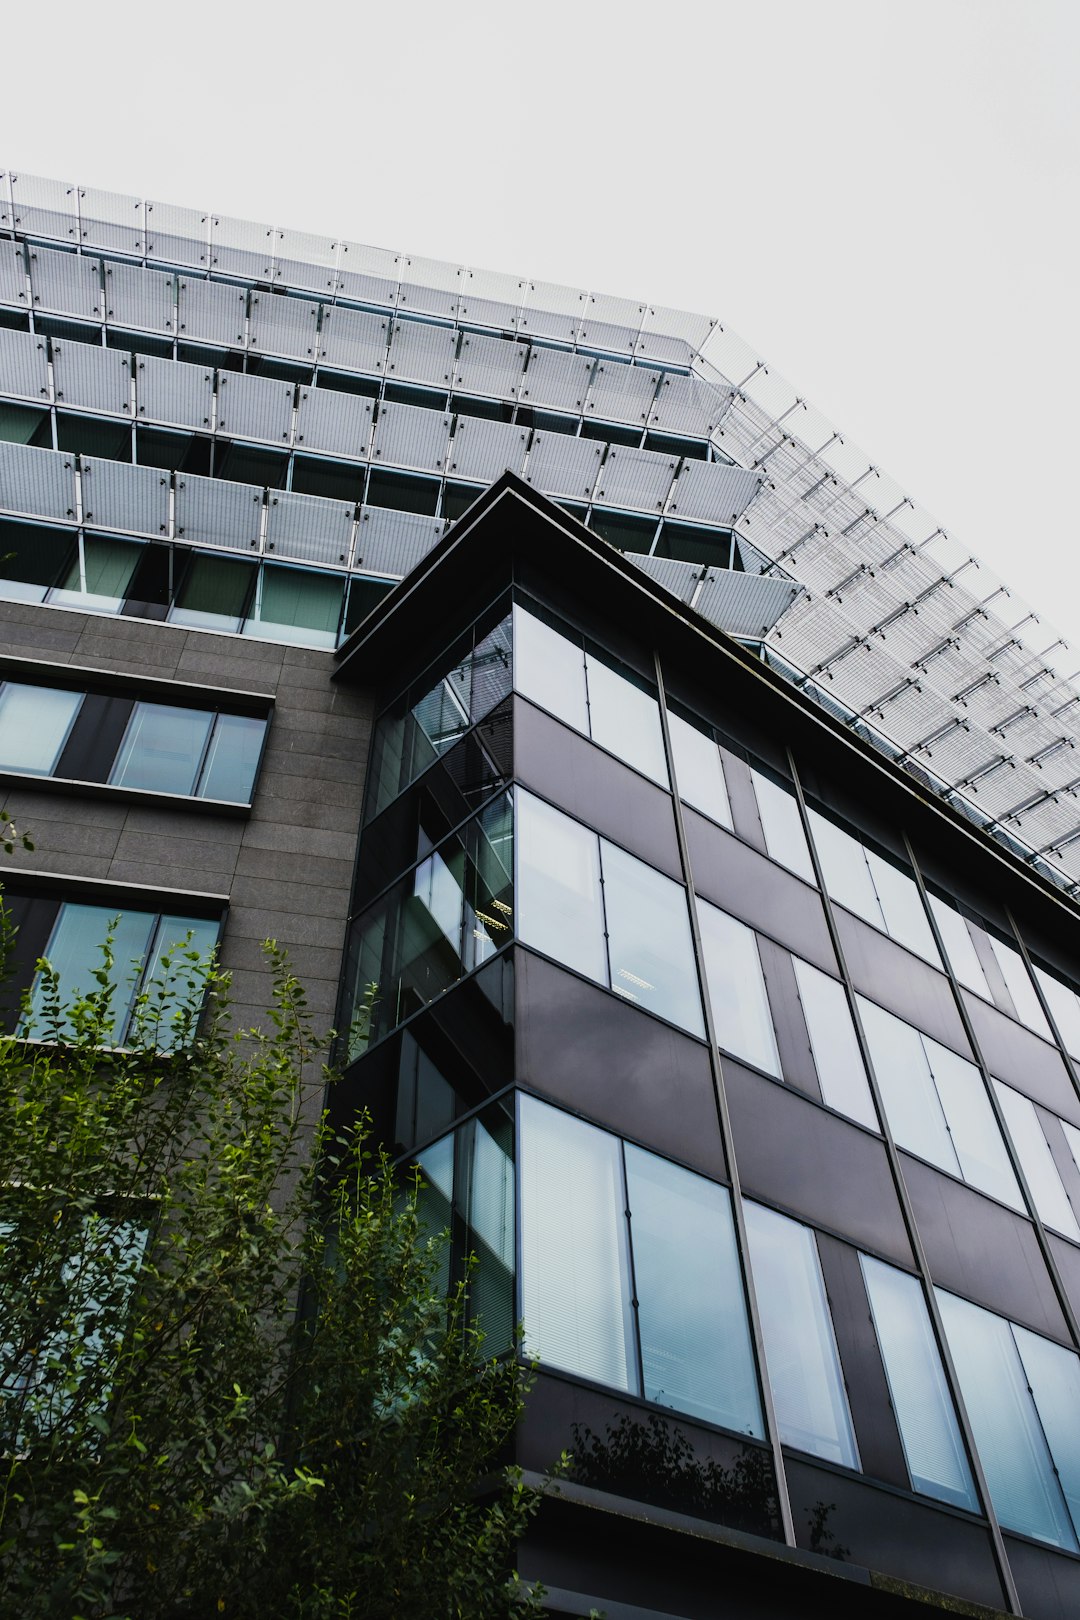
(287, 868)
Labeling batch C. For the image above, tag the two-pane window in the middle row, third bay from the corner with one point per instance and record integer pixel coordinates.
(937, 1106)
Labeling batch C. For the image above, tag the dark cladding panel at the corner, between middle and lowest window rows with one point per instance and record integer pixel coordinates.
(629, 1072)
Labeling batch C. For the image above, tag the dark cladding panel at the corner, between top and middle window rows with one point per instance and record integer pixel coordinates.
(593, 787)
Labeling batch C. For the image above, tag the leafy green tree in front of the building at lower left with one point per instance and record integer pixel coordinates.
(179, 1439)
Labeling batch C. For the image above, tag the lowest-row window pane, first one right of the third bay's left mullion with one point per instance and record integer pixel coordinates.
(1005, 1423)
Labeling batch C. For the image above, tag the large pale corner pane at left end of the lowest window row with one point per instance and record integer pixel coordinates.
(576, 1279)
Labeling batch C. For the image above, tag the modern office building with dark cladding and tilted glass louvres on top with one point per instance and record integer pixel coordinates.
(705, 821)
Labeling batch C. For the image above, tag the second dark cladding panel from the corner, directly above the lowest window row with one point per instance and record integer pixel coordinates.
(814, 1164)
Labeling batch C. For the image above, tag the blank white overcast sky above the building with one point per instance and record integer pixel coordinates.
(878, 195)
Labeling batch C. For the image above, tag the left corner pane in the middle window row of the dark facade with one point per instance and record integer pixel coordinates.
(559, 889)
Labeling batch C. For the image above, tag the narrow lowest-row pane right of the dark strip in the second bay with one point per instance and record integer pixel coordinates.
(917, 1384)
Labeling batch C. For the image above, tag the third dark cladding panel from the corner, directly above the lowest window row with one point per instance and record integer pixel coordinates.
(980, 1250)
